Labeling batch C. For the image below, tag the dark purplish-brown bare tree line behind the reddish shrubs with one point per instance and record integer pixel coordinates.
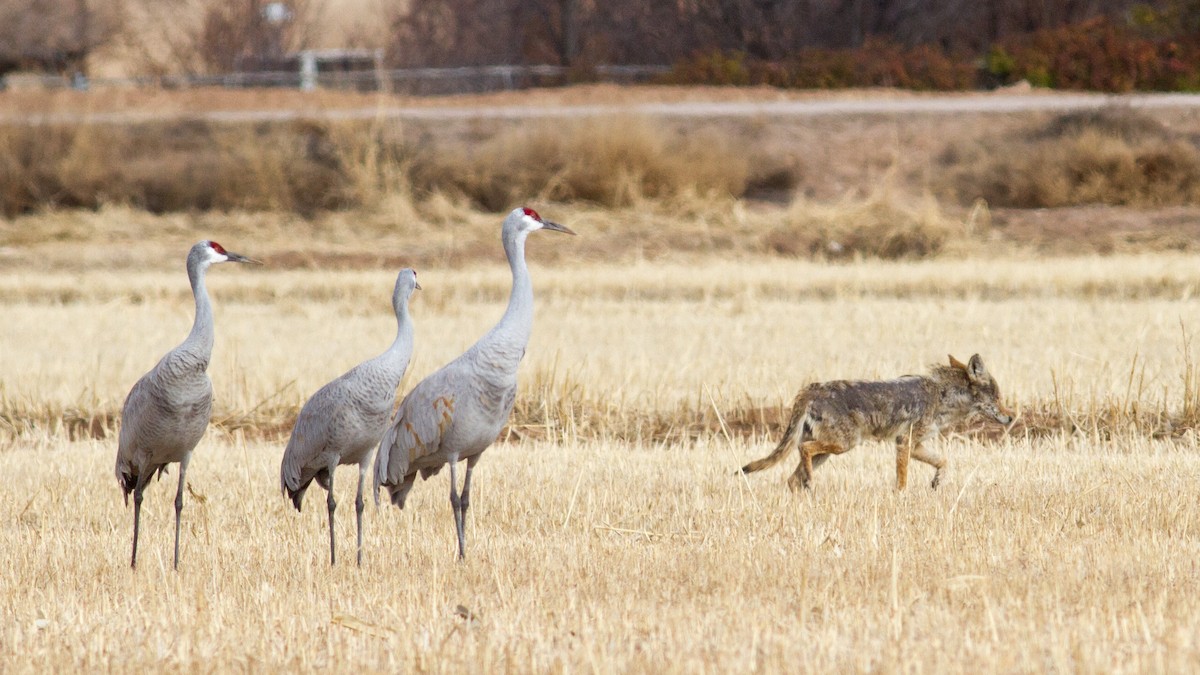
(452, 33)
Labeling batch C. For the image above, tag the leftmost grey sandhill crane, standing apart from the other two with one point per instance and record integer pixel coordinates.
(167, 411)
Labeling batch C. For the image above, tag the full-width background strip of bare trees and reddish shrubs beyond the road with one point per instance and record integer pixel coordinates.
(1111, 45)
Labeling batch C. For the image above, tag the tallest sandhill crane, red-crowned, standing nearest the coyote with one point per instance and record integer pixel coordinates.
(459, 411)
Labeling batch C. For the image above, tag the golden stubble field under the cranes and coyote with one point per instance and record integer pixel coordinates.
(610, 533)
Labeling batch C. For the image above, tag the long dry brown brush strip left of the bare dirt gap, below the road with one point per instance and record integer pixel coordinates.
(304, 168)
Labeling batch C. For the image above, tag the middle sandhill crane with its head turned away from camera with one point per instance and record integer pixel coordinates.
(345, 420)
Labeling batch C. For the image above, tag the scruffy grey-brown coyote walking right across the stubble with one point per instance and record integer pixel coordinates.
(830, 419)
